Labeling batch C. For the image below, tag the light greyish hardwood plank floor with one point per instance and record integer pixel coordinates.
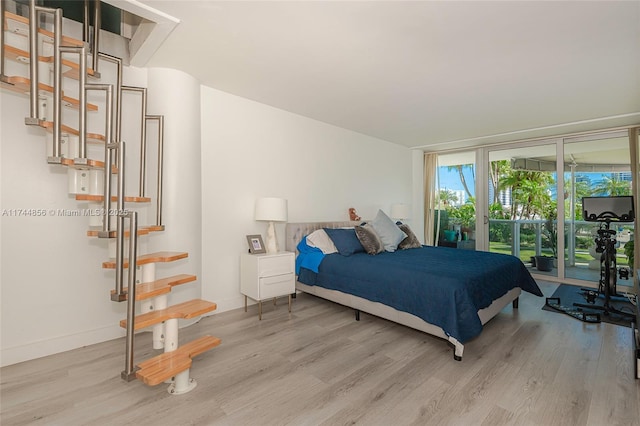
(318, 366)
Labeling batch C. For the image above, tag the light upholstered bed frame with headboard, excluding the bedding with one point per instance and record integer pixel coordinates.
(295, 232)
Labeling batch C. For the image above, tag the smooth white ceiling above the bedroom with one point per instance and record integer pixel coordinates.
(427, 74)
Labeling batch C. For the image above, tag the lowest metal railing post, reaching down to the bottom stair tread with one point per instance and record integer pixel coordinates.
(129, 372)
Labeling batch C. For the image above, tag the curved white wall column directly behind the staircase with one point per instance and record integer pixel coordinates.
(179, 103)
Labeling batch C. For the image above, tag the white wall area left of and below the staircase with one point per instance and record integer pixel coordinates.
(55, 295)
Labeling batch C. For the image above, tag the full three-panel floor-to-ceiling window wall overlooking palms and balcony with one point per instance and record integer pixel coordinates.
(525, 199)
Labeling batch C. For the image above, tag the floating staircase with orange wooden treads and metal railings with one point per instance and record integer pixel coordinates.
(41, 74)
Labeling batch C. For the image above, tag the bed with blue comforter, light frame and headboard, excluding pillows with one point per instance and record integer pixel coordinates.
(444, 292)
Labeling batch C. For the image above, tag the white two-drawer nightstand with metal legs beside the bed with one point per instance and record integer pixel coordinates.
(266, 276)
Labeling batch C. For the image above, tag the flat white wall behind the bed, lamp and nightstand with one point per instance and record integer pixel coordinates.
(252, 150)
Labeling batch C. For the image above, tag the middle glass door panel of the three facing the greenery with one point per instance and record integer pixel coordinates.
(522, 205)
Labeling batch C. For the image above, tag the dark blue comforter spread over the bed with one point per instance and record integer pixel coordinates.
(443, 286)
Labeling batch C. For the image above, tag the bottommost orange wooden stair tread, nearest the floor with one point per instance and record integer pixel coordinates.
(158, 369)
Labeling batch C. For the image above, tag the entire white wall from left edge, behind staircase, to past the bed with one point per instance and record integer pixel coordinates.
(221, 153)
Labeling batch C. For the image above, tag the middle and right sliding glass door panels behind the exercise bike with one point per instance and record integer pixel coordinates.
(533, 207)
